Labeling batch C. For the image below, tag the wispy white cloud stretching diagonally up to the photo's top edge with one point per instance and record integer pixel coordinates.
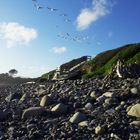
(87, 16)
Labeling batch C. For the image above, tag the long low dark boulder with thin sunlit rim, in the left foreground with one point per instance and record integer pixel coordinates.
(32, 112)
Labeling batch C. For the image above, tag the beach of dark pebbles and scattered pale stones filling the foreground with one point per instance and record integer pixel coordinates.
(94, 109)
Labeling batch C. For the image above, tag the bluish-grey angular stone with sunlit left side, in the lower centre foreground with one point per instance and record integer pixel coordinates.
(77, 117)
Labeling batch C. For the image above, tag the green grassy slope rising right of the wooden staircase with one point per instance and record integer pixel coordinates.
(103, 62)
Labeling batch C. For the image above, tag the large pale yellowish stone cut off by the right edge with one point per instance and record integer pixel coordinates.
(135, 111)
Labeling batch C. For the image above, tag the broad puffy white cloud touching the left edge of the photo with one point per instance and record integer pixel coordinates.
(13, 34)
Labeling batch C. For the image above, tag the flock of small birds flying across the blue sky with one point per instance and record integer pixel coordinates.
(64, 35)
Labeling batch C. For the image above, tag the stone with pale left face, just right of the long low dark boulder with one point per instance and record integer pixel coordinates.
(59, 109)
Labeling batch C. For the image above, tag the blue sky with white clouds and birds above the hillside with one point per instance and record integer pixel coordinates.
(37, 36)
